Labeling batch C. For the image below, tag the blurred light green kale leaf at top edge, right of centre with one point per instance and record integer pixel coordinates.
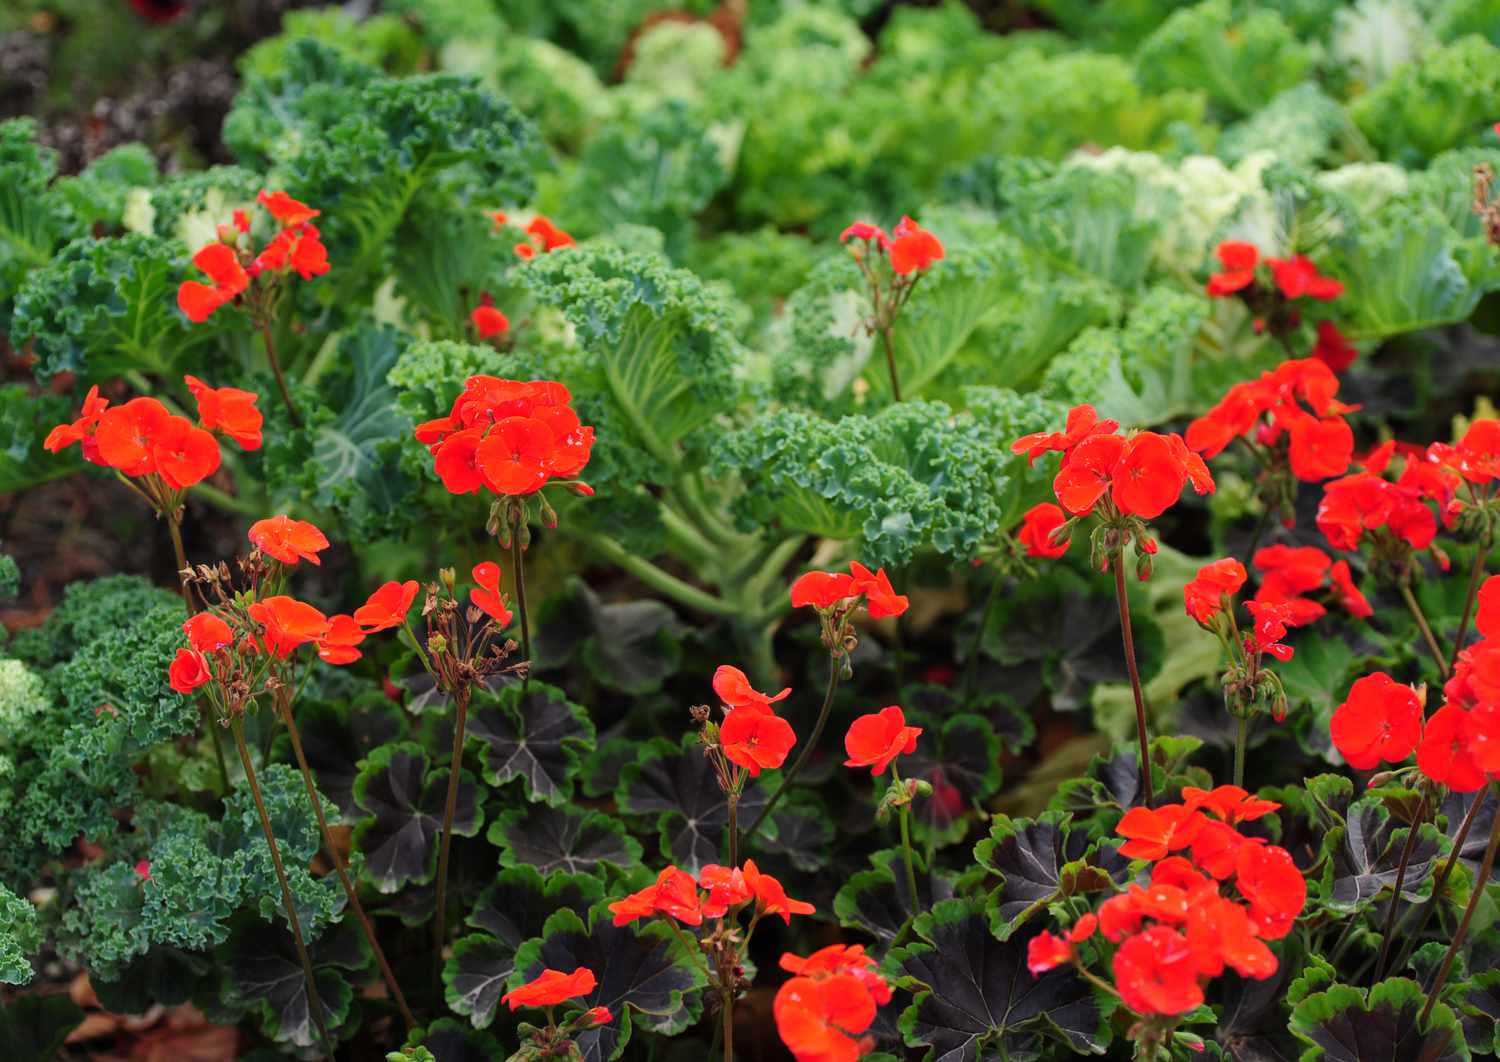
(1240, 62)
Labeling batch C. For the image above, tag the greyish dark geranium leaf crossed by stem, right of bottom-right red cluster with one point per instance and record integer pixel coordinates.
(1366, 857)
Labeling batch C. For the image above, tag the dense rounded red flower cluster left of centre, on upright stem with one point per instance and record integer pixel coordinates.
(511, 437)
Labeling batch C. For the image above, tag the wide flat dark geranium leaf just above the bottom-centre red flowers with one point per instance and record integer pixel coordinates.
(568, 839)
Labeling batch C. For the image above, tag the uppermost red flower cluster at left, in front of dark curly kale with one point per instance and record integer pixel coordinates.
(232, 269)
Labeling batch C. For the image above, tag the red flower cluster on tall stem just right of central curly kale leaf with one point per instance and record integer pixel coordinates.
(1138, 475)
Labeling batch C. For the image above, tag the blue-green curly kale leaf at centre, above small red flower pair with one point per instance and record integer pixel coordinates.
(913, 475)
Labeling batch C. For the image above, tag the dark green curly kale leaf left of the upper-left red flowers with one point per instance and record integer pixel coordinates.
(104, 307)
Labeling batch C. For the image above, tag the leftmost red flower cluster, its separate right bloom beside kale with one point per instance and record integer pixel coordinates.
(142, 439)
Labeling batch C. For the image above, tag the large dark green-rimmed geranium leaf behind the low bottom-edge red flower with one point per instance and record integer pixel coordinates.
(644, 973)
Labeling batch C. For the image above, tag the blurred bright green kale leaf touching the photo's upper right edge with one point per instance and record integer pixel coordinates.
(1439, 101)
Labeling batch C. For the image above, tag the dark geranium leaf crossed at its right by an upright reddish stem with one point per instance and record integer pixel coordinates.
(403, 802)
